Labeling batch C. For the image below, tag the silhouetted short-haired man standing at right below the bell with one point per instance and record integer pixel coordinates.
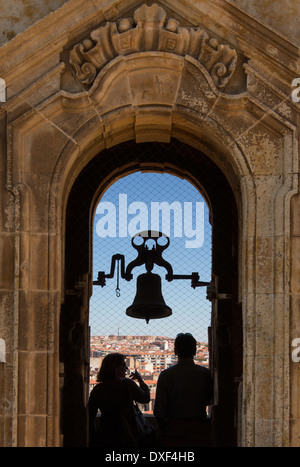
(183, 392)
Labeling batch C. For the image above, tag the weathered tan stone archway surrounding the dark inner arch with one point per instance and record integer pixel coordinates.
(216, 103)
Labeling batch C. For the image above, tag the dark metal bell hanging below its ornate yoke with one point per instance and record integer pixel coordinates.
(148, 303)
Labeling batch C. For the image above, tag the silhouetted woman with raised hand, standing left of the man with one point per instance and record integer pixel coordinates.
(113, 396)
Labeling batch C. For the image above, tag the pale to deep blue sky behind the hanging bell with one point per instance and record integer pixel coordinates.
(131, 199)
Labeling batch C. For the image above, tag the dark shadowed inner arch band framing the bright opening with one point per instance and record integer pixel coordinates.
(226, 330)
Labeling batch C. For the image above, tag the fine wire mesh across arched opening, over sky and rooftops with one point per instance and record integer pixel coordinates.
(135, 203)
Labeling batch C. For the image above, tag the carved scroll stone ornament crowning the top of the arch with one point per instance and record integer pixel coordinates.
(151, 30)
